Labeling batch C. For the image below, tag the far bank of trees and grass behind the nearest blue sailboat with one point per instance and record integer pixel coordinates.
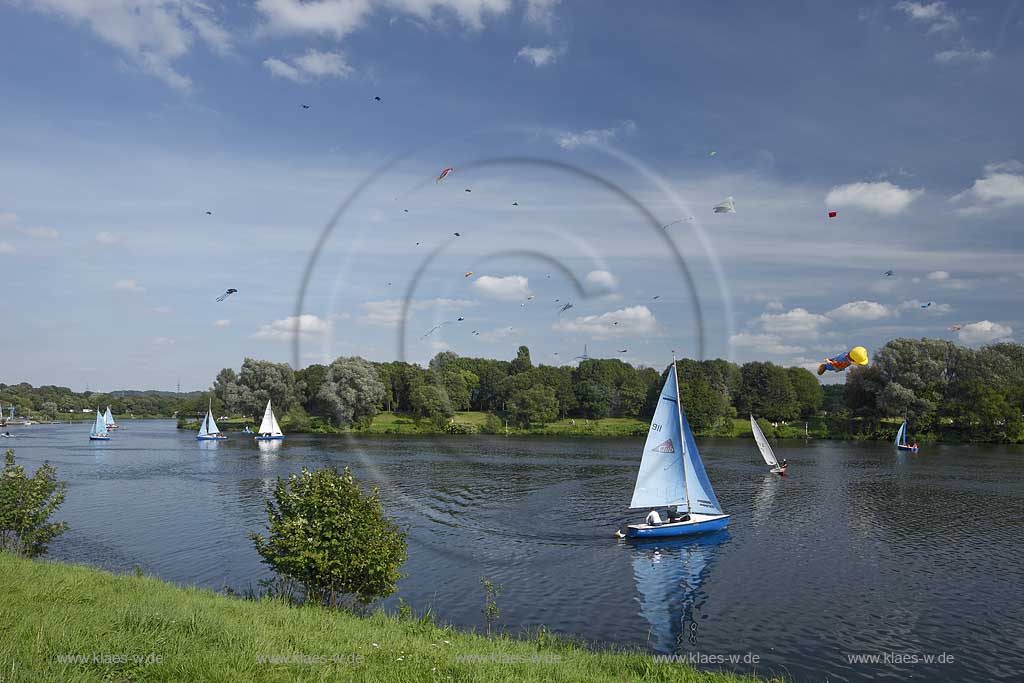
(949, 393)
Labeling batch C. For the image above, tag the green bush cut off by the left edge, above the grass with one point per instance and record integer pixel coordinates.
(26, 507)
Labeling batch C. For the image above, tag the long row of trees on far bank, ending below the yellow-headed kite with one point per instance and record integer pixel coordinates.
(351, 392)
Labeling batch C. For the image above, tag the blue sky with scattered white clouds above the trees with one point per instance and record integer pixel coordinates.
(154, 154)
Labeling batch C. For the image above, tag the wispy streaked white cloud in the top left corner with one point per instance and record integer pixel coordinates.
(153, 35)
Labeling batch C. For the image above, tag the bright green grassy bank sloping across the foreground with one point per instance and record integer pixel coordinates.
(52, 612)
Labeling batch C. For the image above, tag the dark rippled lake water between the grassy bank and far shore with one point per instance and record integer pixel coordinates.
(858, 552)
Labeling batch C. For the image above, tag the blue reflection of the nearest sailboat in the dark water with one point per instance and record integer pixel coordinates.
(670, 574)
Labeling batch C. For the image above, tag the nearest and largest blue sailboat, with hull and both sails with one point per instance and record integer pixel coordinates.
(672, 476)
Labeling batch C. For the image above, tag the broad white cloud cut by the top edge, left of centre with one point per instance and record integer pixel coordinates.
(340, 18)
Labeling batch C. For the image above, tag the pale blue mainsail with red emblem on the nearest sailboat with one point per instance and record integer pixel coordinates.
(661, 480)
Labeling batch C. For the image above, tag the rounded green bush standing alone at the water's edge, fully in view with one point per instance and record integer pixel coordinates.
(332, 539)
